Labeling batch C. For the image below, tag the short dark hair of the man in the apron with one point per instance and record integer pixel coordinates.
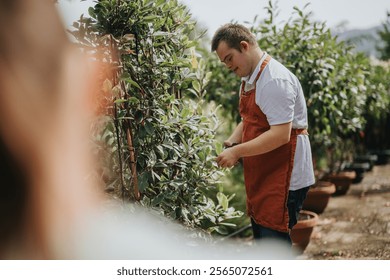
(232, 34)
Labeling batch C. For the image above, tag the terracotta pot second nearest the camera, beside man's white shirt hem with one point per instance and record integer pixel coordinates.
(318, 196)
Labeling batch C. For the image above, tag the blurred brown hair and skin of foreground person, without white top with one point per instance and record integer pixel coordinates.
(43, 131)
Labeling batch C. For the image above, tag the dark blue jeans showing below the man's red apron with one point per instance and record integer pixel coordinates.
(294, 205)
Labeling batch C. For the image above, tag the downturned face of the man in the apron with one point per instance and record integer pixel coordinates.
(236, 61)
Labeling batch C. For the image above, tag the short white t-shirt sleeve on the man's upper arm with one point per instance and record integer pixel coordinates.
(277, 101)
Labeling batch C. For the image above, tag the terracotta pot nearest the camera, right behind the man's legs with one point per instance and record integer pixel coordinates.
(301, 232)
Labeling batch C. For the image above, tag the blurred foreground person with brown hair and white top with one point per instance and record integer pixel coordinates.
(49, 209)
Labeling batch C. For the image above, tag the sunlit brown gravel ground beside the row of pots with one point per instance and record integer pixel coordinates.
(355, 225)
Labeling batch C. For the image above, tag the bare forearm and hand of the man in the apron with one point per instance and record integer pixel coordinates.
(275, 137)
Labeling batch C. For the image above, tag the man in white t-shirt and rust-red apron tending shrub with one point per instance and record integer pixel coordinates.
(272, 138)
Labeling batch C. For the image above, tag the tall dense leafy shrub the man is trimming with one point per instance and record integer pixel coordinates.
(173, 136)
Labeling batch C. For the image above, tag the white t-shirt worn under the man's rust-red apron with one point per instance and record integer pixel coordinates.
(279, 96)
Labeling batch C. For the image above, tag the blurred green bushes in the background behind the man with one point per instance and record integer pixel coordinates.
(339, 84)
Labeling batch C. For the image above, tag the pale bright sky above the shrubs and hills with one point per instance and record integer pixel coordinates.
(211, 14)
